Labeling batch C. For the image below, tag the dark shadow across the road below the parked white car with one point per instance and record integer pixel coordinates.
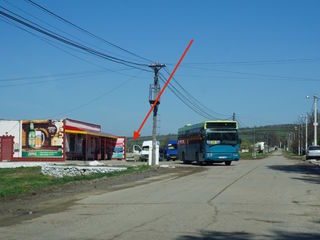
(312, 173)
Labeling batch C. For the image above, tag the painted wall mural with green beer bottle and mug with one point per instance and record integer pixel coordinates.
(42, 138)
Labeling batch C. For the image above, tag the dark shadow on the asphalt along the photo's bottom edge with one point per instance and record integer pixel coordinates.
(279, 235)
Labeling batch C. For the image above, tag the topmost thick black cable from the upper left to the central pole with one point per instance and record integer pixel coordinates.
(85, 31)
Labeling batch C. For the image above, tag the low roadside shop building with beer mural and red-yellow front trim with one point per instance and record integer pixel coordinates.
(59, 140)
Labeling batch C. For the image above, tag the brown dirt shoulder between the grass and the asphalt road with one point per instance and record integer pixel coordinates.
(59, 198)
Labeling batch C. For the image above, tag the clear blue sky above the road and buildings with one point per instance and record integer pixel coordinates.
(258, 59)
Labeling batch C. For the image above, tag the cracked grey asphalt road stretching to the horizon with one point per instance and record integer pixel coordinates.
(274, 198)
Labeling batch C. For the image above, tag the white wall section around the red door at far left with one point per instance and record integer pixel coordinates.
(13, 128)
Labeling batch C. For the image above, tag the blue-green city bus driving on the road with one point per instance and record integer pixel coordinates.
(209, 142)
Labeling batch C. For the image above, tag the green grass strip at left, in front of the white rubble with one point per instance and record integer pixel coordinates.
(16, 181)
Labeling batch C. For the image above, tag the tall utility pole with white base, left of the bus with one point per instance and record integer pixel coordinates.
(156, 67)
